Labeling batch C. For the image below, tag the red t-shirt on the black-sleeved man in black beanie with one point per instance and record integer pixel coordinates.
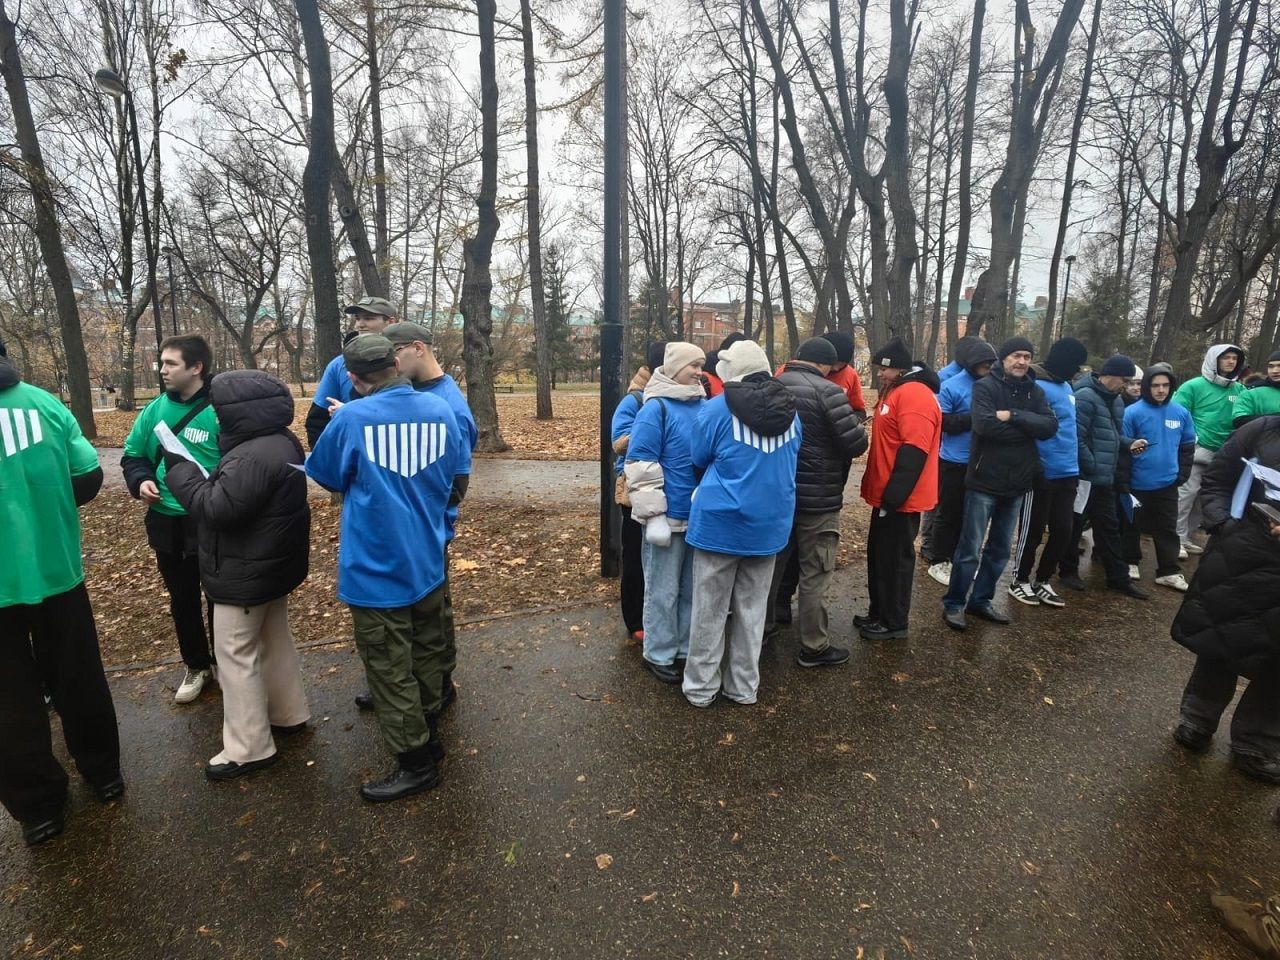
(908, 414)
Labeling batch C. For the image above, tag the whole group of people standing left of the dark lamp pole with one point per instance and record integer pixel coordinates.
(225, 482)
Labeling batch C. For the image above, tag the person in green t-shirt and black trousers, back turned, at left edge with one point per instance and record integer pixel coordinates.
(48, 638)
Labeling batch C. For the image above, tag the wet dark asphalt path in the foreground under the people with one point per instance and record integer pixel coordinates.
(1005, 793)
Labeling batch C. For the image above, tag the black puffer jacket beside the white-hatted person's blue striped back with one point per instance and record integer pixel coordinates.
(833, 437)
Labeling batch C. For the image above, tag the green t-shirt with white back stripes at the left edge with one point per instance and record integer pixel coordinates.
(42, 450)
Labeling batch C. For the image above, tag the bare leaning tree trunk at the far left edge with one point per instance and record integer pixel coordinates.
(48, 231)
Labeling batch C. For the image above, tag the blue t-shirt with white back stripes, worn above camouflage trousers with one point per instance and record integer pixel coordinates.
(394, 456)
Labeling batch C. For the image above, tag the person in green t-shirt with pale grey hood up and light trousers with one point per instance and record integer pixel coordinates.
(1212, 400)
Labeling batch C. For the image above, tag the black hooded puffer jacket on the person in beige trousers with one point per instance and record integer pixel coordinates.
(255, 524)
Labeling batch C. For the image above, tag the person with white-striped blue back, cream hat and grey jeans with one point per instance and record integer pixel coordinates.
(747, 441)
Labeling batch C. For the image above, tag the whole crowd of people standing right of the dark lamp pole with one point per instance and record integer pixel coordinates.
(998, 455)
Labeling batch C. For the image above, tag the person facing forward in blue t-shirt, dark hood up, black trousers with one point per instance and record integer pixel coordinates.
(1162, 467)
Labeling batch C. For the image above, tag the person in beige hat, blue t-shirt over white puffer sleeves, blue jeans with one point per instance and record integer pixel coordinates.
(661, 481)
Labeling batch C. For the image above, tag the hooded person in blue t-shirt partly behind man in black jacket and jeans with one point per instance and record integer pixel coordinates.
(976, 358)
